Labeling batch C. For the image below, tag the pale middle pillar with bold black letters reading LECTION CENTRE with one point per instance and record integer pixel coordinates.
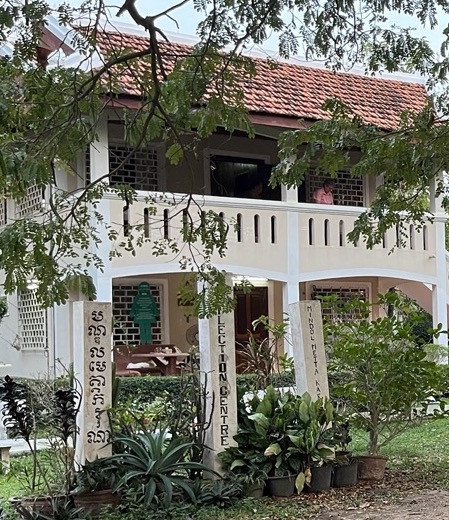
(217, 360)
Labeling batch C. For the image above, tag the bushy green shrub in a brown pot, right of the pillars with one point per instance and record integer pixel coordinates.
(382, 376)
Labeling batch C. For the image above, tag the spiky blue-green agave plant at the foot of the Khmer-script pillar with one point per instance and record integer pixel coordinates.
(154, 466)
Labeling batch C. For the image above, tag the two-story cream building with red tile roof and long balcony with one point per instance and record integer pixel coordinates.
(289, 247)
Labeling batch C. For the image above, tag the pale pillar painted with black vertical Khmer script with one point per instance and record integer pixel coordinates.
(93, 368)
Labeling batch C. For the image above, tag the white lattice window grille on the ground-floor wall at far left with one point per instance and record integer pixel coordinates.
(32, 322)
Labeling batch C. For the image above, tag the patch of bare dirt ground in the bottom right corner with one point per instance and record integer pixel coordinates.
(423, 505)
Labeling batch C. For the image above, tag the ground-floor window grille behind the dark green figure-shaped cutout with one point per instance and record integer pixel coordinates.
(125, 331)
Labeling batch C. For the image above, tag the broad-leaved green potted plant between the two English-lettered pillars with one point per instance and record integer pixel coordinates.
(276, 430)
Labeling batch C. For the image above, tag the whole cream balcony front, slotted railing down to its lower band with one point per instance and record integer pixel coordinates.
(277, 240)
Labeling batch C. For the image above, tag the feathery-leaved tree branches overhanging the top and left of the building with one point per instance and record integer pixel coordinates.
(49, 115)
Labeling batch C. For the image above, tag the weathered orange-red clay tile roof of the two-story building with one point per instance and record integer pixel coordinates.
(297, 91)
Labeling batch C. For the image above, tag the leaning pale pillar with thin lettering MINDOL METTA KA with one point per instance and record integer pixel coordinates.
(308, 348)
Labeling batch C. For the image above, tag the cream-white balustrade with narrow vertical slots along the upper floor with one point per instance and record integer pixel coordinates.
(258, 236)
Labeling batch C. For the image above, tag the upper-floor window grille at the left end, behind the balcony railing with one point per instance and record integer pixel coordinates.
(140, 171)
